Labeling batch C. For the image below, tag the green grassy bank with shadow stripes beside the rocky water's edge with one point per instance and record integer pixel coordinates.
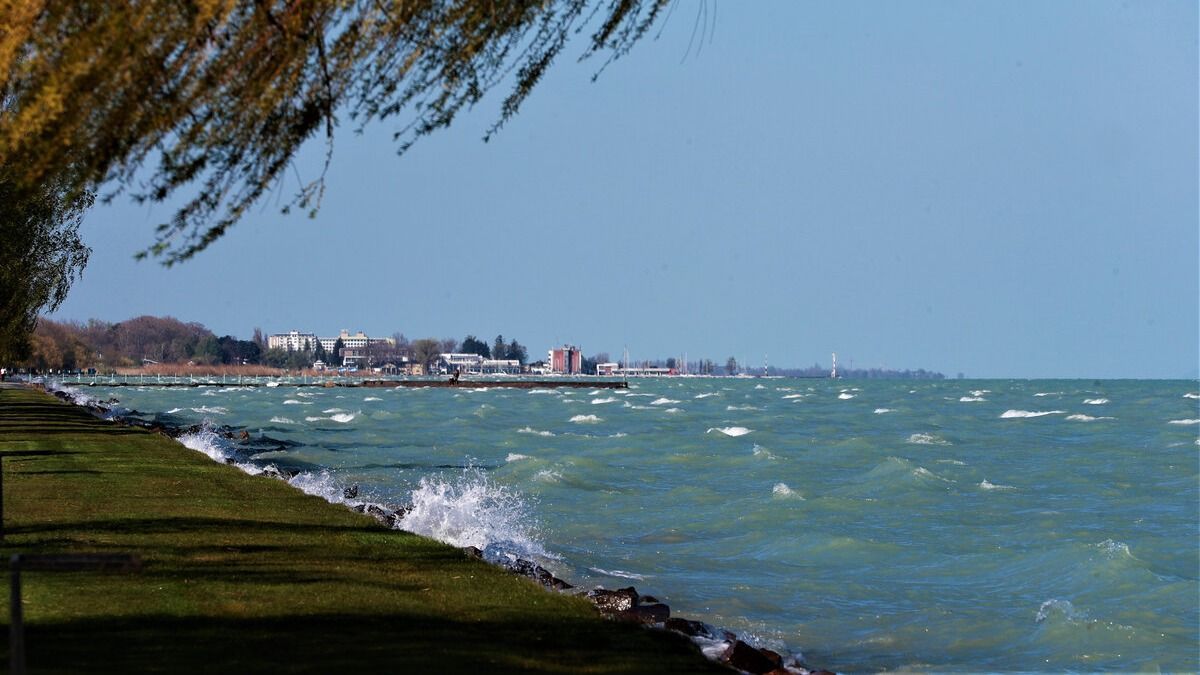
(248, 575)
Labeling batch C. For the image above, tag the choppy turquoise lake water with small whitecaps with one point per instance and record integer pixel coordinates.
(967, 525)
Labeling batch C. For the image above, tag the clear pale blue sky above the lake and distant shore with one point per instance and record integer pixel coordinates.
(1001, 189)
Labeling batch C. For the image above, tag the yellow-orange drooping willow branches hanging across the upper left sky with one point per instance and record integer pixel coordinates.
(211, 100)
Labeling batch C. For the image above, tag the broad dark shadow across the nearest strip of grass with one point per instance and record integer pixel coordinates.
(351, 642)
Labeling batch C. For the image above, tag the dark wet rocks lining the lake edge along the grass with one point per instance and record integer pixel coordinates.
(621, 605)
